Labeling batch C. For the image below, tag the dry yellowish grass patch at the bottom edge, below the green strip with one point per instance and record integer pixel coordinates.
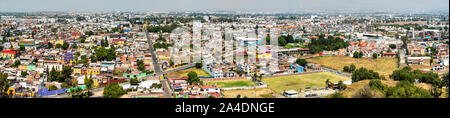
(249, 93)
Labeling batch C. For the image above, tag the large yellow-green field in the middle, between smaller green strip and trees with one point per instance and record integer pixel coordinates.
(296, 82)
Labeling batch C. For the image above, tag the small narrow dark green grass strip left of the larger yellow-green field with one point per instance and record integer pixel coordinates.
(233, 83)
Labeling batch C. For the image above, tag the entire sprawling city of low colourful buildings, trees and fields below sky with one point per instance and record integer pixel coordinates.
(224, 53)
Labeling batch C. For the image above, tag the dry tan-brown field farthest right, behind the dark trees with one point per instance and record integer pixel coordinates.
(384, 66)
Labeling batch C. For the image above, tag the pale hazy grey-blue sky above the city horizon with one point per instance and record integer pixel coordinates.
(222, 5)
